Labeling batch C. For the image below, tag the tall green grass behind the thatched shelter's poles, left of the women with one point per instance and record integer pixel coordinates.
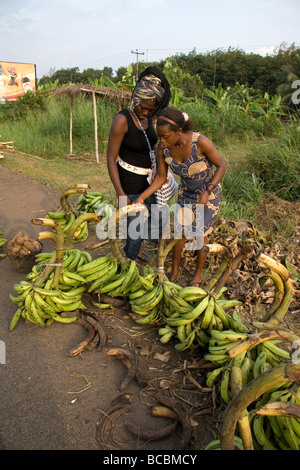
(46, 132)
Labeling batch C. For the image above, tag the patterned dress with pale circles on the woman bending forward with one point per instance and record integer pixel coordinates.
(196, 172)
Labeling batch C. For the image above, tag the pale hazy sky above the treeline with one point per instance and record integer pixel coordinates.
(56, 34)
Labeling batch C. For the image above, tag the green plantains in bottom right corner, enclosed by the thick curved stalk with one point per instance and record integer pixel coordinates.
(271, 432)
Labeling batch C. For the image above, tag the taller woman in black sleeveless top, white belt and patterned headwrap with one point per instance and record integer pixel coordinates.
(128, 156)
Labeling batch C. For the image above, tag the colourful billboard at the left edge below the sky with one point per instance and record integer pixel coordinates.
(16, 79)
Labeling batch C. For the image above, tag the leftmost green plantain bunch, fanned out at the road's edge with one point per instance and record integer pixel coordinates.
(43, 305)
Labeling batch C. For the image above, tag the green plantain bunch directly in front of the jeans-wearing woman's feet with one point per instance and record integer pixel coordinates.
(145, 301)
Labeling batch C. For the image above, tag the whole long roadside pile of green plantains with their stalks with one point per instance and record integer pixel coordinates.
(252, 364)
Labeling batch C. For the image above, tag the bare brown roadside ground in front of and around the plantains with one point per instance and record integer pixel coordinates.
(50, 401)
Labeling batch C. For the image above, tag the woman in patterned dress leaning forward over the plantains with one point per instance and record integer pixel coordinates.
(200, 166)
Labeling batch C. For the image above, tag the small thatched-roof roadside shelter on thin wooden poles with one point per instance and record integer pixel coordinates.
(121, 97)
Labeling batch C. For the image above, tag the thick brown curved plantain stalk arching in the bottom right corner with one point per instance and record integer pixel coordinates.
(248, 394)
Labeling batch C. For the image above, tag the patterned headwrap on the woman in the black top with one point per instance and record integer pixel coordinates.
(147, 88)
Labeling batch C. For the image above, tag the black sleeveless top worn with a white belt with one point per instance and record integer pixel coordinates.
(134, 150)
